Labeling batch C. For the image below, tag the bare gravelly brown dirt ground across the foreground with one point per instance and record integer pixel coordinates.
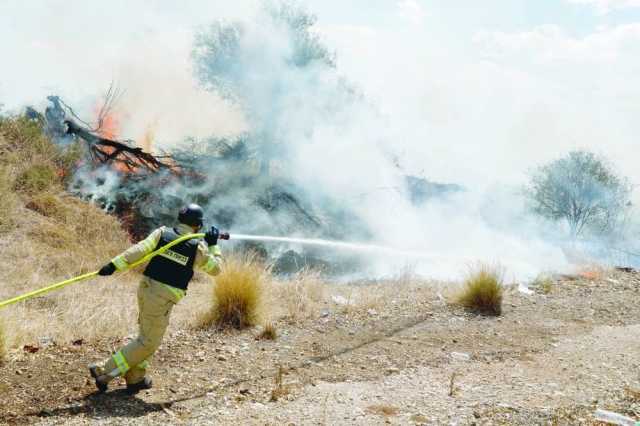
(549, 359)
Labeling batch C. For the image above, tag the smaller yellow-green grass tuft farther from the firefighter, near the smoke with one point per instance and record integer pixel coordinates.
(482, 291)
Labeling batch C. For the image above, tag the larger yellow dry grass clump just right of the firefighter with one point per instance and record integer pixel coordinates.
(237, 295)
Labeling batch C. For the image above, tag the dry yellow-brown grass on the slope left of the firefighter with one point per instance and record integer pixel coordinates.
(48, 236)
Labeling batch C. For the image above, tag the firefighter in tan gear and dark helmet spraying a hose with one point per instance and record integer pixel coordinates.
(164, 283)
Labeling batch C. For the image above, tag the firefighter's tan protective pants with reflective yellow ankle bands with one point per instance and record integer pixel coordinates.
(155, 302)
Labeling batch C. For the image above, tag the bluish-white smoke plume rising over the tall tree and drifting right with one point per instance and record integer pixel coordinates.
(328, 139)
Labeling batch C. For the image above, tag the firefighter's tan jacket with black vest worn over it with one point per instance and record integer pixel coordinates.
(175, 267)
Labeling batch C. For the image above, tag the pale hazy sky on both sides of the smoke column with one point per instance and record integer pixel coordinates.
(474, 92)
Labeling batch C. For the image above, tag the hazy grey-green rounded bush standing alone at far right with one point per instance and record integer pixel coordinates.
(581, 189)
